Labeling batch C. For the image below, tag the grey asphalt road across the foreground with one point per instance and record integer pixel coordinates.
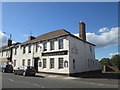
(9, 80)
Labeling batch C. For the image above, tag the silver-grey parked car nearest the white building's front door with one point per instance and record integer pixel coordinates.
(25, 70)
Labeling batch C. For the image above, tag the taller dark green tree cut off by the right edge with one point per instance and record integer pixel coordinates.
(115, 61)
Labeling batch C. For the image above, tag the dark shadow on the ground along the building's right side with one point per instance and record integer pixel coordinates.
(97, 75)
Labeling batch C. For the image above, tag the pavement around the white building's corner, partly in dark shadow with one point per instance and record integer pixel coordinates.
(104, 79)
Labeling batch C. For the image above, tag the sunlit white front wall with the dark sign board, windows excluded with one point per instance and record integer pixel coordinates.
(19, 57)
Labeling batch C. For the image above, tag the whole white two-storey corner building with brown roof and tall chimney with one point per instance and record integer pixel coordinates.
(57, 52)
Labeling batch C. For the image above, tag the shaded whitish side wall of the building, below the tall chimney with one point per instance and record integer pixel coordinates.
(80, 52)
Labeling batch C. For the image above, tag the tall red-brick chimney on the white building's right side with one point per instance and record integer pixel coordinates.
(82, 31)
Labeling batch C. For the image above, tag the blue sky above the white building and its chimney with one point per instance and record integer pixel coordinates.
(21, 18)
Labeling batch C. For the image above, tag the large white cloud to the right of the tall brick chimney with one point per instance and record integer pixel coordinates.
(105, 39)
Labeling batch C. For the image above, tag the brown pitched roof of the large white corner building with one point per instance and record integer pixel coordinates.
(53, 34)
